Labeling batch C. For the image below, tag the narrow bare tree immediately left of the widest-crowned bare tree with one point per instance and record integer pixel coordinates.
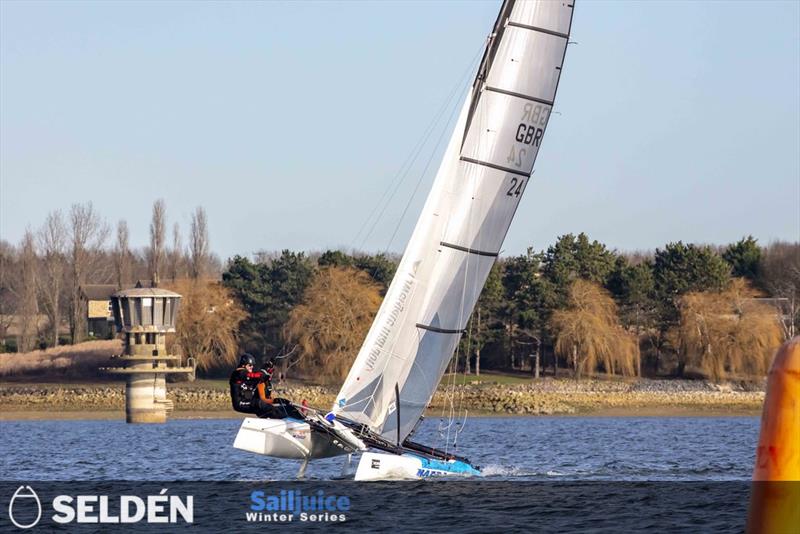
(53, 246)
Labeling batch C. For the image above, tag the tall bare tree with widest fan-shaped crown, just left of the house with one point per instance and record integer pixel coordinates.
(88, 232)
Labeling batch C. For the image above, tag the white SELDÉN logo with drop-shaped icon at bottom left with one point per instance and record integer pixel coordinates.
(160, 508)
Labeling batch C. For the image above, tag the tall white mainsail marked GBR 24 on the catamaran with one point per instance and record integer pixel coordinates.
(485, 170)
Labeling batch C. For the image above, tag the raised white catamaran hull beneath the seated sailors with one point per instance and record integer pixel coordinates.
(293, 439)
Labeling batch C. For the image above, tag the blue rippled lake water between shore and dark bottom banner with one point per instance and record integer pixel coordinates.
(508, 448)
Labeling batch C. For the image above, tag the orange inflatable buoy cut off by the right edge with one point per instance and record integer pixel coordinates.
(775, 494)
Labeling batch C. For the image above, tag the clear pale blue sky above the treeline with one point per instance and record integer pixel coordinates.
(290, 121)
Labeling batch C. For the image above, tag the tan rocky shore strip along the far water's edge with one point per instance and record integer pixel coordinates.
(544, 397)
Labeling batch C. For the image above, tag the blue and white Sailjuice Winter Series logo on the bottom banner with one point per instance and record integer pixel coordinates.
(293, 505)
